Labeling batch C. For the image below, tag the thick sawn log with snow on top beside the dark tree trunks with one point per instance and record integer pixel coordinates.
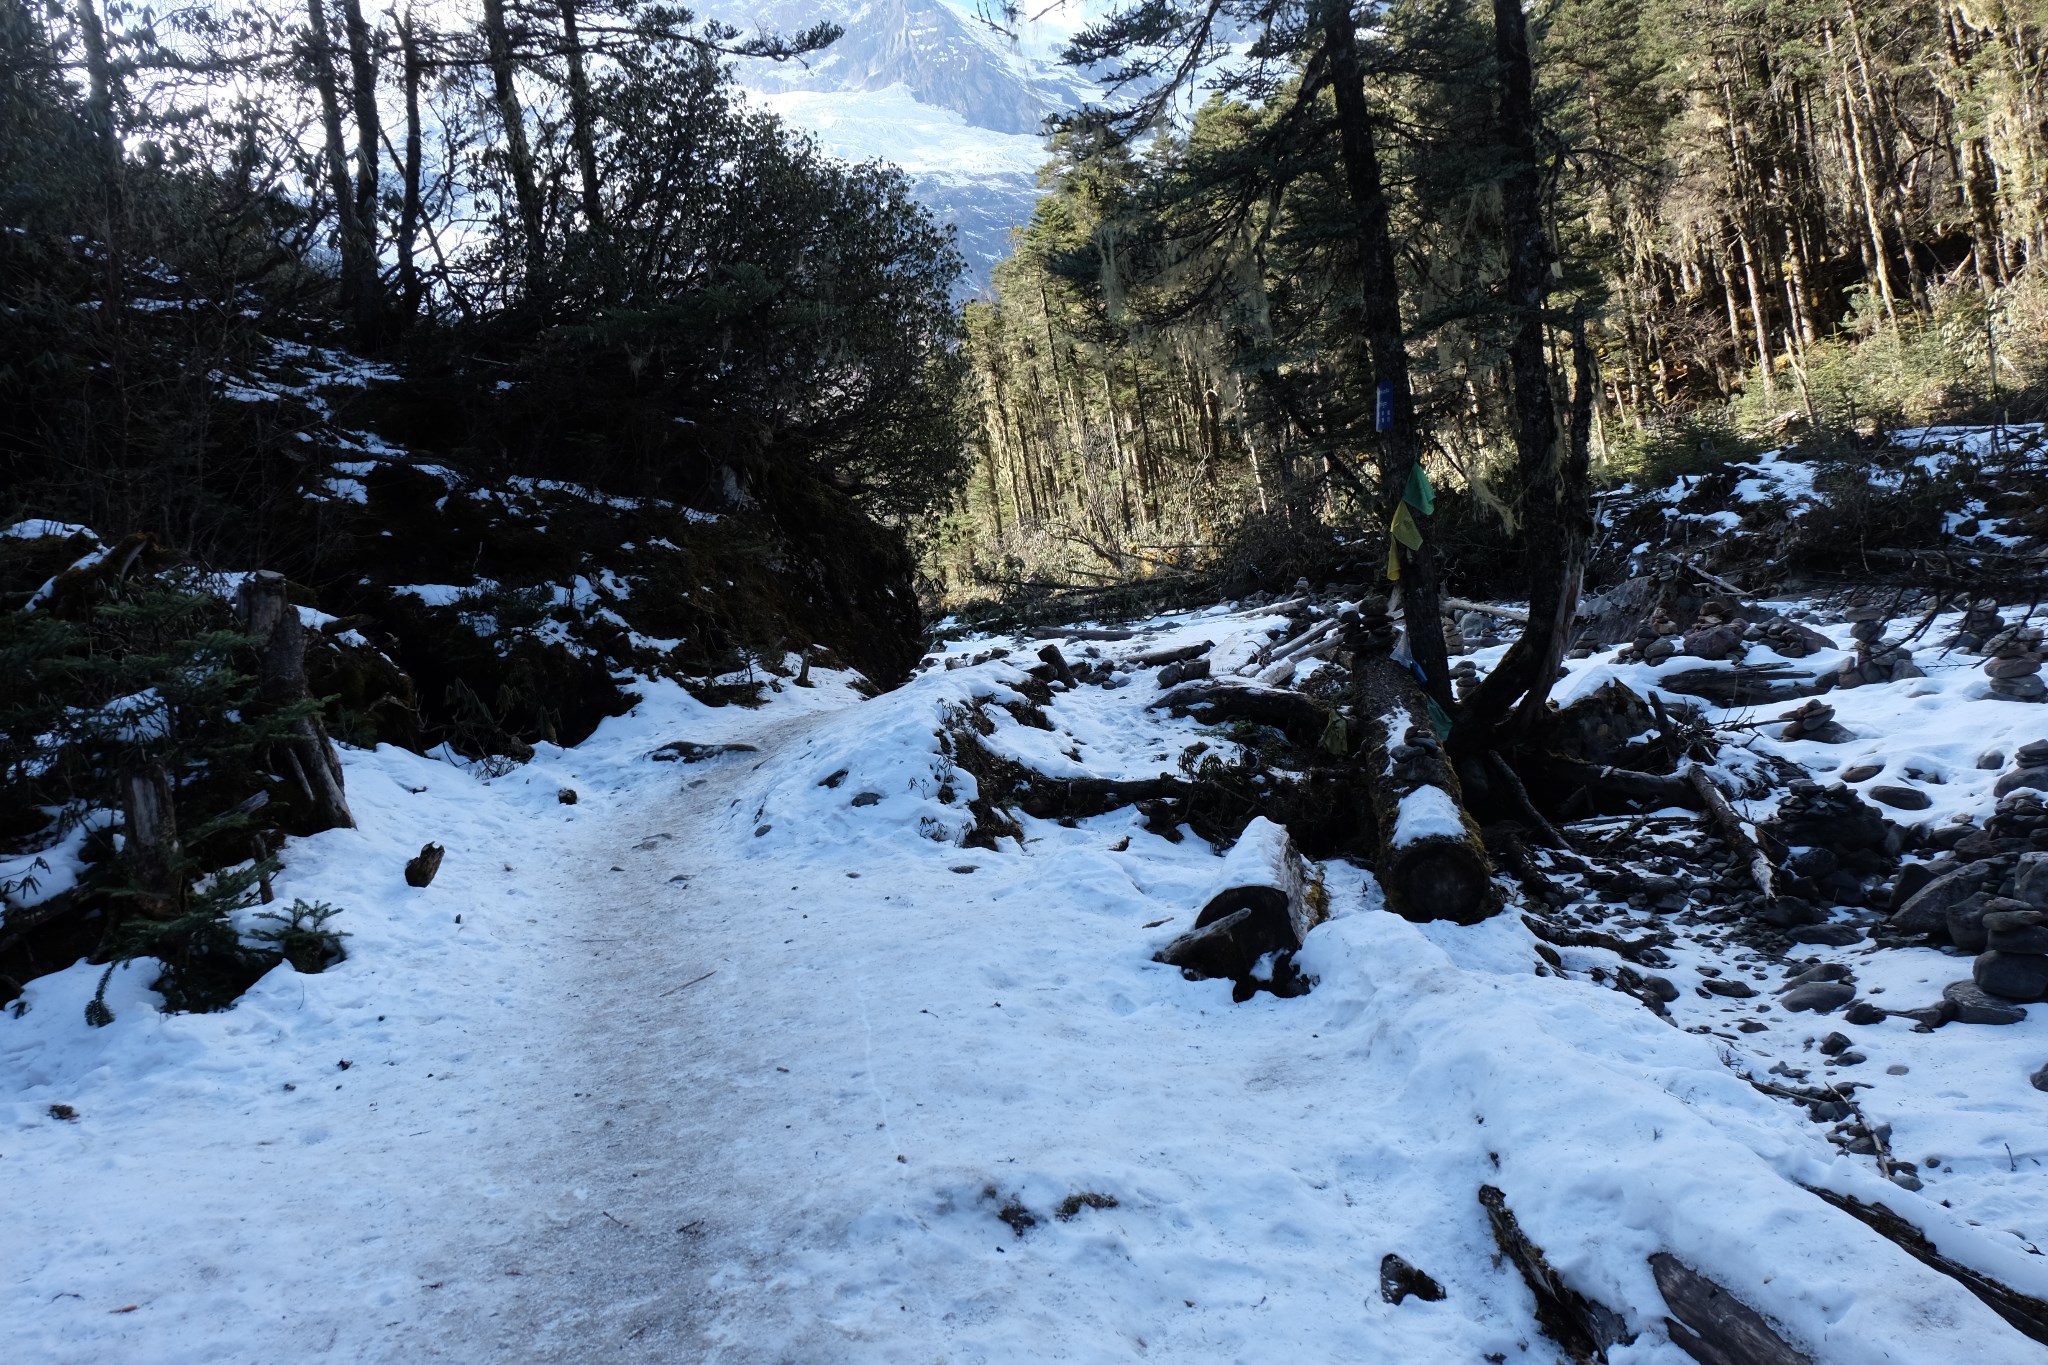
(1433, 863)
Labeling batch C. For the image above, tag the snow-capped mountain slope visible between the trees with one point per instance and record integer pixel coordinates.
(935, 87)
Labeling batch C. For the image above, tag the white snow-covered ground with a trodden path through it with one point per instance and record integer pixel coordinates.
(753, 1061)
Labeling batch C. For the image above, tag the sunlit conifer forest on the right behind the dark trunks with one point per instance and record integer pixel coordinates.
(1709, 224)
